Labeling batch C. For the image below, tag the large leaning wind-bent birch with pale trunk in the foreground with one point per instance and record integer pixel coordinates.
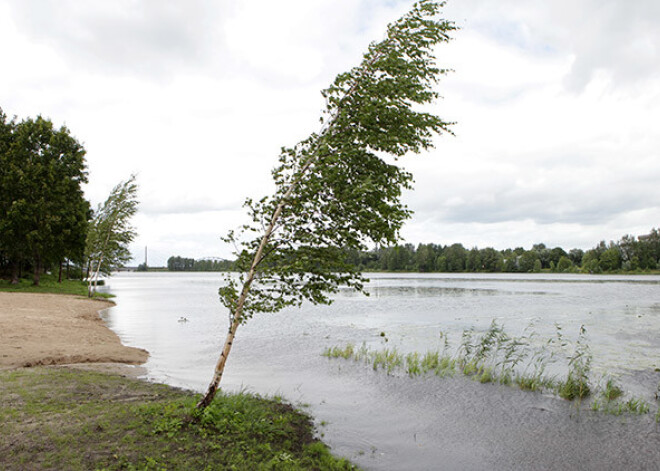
(335, 190)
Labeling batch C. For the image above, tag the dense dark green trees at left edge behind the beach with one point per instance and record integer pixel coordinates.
(43, 213)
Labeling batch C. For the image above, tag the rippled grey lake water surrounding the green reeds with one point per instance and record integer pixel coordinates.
(395, 422)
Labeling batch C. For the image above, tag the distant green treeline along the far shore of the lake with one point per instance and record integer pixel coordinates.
(629, 254)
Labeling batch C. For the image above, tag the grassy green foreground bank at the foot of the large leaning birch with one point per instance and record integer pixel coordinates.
(56, 418)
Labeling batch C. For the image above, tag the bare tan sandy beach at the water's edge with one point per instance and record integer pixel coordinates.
(53, 329)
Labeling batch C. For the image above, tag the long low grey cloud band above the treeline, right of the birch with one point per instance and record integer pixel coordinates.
(561, 193)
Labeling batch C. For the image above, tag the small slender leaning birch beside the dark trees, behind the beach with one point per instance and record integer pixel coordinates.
(111, 231)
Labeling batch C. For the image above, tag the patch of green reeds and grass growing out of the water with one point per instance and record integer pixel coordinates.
(496, 357)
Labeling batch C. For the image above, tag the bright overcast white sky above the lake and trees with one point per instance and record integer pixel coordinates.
(557, 107)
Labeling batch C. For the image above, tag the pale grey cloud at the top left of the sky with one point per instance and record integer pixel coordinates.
(150, 37)
